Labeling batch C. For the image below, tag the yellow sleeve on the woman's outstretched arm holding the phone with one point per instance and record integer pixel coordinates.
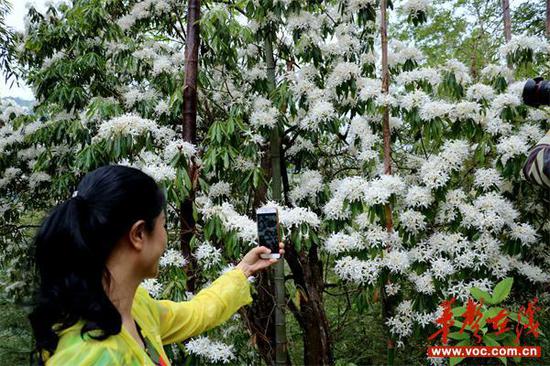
(209, 308)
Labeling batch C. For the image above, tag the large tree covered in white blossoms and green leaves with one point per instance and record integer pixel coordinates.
(109, 91)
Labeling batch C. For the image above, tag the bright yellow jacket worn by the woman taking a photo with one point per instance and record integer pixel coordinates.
(161, 321)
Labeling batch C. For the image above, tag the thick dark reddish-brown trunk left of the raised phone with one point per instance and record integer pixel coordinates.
(189, 134)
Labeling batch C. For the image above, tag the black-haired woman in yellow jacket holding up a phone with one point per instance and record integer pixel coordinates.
(92, 253)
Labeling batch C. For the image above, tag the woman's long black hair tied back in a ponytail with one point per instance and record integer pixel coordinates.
(72, 247)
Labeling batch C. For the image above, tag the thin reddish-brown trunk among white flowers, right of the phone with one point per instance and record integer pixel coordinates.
(386, 302)
